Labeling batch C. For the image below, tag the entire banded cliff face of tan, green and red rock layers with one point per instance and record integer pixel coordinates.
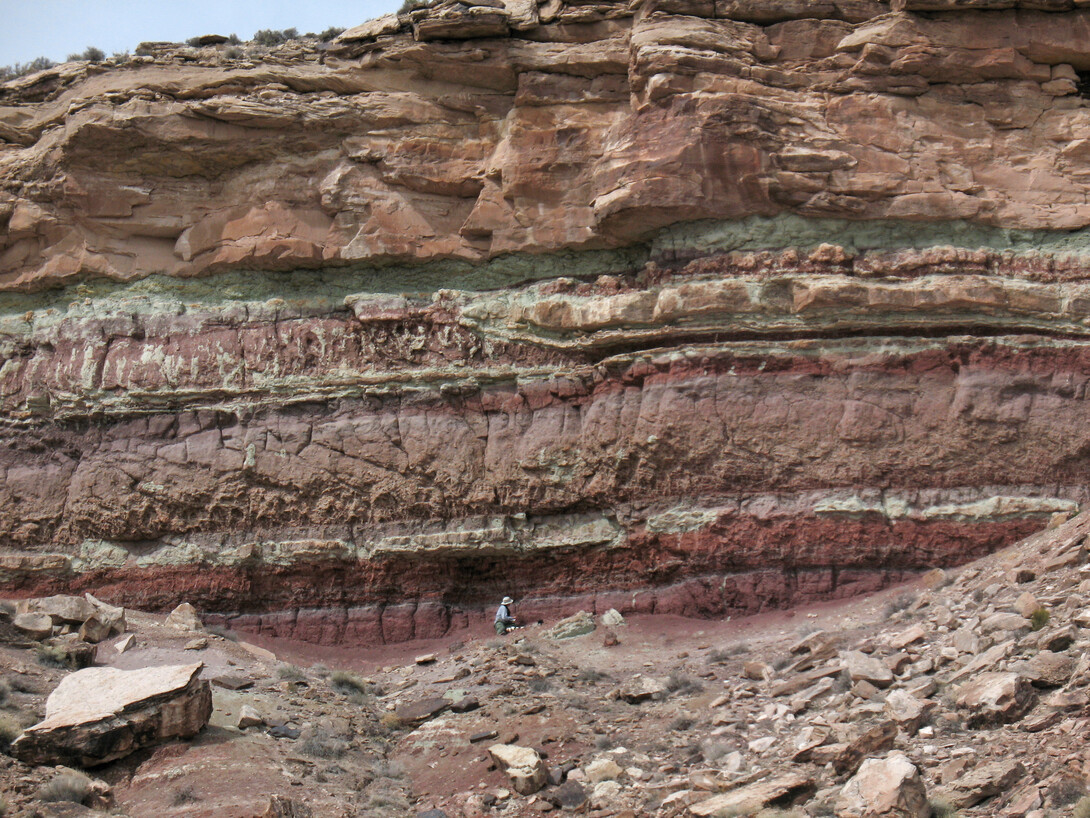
(679, 306)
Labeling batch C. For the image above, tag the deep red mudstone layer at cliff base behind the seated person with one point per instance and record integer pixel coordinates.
(737, 567)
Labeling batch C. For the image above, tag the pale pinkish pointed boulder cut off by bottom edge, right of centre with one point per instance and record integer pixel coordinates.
(885, 787)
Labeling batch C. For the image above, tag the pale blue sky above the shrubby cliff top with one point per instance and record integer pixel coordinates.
(55, 29)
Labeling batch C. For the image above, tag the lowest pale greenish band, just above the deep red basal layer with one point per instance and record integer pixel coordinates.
(519, 535)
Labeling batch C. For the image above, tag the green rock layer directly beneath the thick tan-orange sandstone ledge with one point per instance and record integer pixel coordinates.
(323, 290)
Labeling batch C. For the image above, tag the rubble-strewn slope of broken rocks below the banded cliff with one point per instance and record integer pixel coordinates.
(963, 694)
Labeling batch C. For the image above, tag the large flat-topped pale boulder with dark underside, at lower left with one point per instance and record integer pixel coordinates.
(101, 715)
